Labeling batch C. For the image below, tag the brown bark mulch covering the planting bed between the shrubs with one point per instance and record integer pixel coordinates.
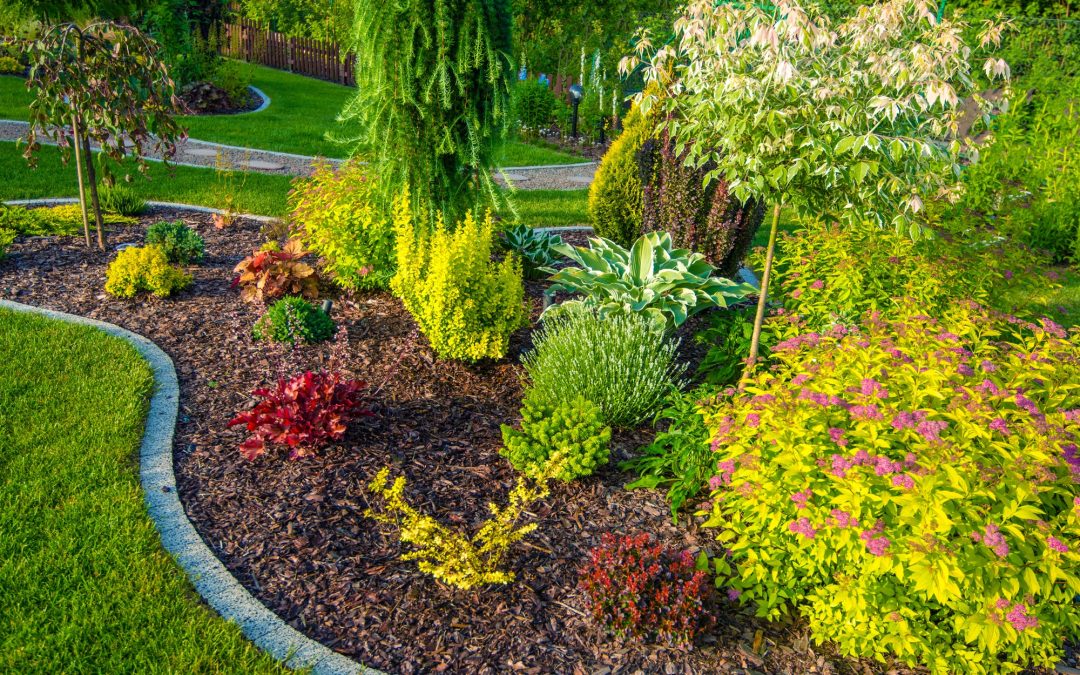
(294, 534)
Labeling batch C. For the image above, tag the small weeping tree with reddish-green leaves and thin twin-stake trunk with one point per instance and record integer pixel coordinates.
(105, 84)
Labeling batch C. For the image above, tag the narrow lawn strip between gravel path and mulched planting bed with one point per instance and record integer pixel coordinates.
(256, 194)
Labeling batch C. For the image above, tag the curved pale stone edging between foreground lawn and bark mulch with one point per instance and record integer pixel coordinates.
(217, 586)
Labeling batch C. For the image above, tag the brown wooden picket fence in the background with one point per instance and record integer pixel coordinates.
(246, 40)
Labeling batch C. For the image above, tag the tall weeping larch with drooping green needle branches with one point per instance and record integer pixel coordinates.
(434, 98)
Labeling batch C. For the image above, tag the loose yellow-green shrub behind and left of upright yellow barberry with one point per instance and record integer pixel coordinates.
(335, 215)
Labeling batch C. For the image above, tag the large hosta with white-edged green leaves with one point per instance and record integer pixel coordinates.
(665, 285)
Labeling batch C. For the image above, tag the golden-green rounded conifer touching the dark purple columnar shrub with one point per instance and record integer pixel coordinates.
(615, 197)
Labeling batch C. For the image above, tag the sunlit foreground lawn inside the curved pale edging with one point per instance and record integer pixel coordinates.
(85, 584)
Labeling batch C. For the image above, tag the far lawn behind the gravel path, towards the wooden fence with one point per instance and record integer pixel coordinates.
(303, 111)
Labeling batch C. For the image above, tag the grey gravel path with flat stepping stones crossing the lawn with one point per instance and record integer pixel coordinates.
(195, 153)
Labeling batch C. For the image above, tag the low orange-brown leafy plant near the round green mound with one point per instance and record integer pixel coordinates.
(268, 275)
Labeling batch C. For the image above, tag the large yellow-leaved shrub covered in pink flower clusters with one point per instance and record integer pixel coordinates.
(910, 489)
